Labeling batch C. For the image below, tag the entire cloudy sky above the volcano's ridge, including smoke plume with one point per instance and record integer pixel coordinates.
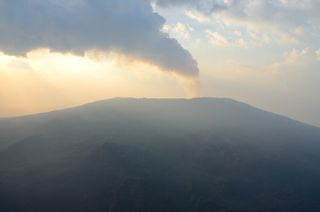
(62, 53)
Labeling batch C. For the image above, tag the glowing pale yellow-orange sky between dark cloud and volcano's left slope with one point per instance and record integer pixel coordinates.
(44, 80)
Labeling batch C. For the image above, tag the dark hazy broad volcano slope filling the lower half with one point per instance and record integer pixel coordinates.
(144, 155)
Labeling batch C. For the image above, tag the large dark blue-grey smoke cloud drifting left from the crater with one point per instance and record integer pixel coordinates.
(126, 26)
